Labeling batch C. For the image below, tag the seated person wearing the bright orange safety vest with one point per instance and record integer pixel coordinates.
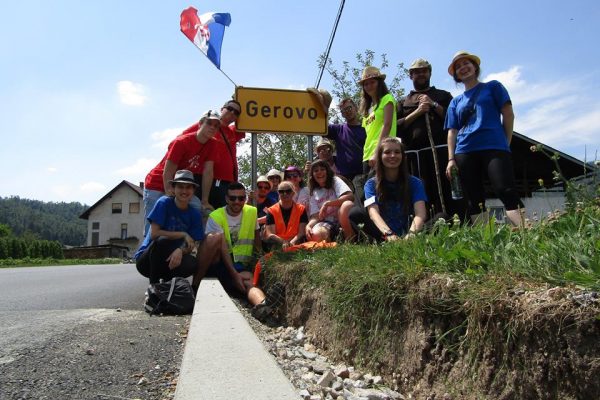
(286, 220)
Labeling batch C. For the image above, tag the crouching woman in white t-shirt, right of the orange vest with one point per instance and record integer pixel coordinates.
(330, 203)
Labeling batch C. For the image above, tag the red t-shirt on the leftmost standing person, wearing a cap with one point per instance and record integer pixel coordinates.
(185, 151)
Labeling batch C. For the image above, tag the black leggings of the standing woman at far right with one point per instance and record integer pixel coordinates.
(499, 168)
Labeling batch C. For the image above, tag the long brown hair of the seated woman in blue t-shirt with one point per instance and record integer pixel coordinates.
(383, 192)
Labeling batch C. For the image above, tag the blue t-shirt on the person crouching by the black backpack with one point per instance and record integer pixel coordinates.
(170, 218)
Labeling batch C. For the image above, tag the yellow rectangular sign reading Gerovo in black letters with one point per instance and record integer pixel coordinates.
(280, 111)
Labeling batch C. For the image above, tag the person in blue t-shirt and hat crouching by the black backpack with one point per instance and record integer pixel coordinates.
(175, 229)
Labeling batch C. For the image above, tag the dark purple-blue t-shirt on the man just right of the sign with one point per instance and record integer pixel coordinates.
(349, 142)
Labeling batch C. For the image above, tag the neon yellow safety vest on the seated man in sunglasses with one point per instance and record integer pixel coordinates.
(242, 250)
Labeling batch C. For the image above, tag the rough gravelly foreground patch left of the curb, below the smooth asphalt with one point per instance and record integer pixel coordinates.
(123, 355)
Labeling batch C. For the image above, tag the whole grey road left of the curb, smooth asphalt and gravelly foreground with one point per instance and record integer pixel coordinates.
(79, 332)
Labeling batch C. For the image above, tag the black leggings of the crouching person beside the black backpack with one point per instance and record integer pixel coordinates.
(153, 262)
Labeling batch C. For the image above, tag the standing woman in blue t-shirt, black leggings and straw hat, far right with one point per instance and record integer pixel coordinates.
(480, 127)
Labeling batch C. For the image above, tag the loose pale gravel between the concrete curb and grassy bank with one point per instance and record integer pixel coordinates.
(313, 374)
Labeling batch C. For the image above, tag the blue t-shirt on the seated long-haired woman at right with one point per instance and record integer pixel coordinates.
(392, 211)
